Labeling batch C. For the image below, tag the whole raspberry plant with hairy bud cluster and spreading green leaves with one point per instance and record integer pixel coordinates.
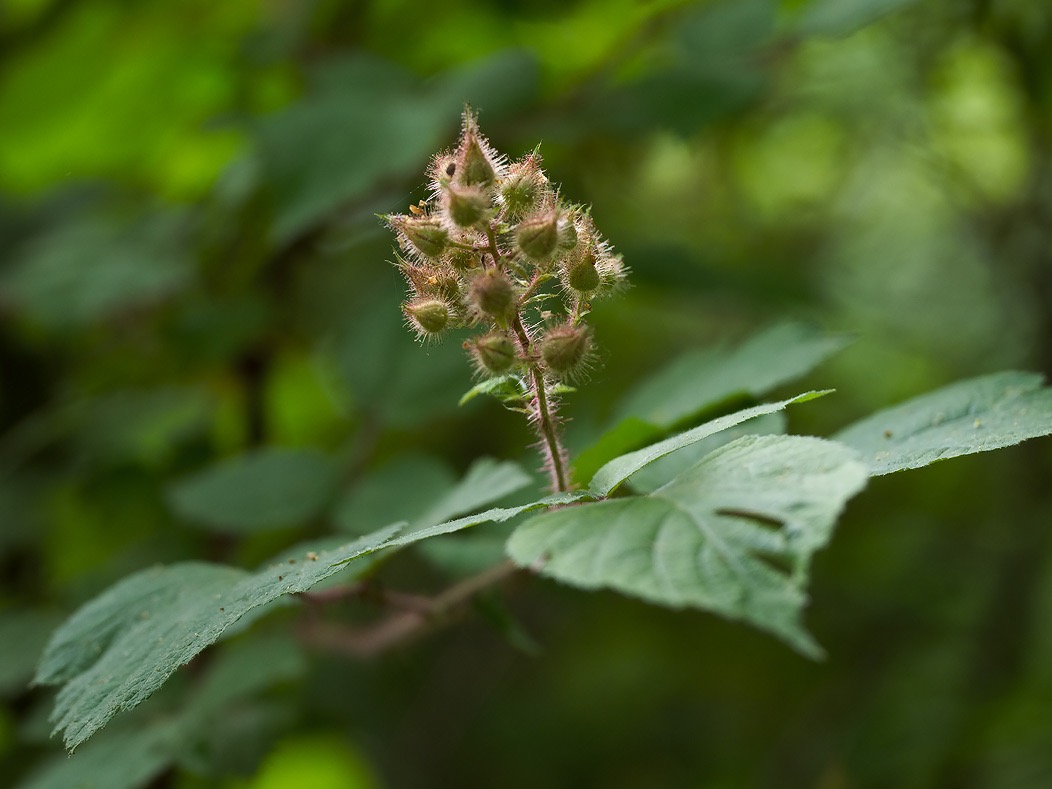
(723, 517)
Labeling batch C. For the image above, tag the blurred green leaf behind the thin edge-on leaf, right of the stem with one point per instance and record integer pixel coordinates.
(700, 381)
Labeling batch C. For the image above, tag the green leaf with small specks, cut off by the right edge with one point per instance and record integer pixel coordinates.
(965, 418)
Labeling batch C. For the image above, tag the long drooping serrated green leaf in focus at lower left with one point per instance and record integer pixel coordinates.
(124, 645)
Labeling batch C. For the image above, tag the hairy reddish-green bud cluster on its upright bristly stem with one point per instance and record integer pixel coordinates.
(496, 249)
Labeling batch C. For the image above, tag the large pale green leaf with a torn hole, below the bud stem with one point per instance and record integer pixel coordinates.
(733, 535)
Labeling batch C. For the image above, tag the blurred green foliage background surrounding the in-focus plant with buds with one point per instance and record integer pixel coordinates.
(193, 275)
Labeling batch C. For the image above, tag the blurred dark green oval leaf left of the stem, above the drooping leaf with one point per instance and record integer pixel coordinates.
(267, 490)
